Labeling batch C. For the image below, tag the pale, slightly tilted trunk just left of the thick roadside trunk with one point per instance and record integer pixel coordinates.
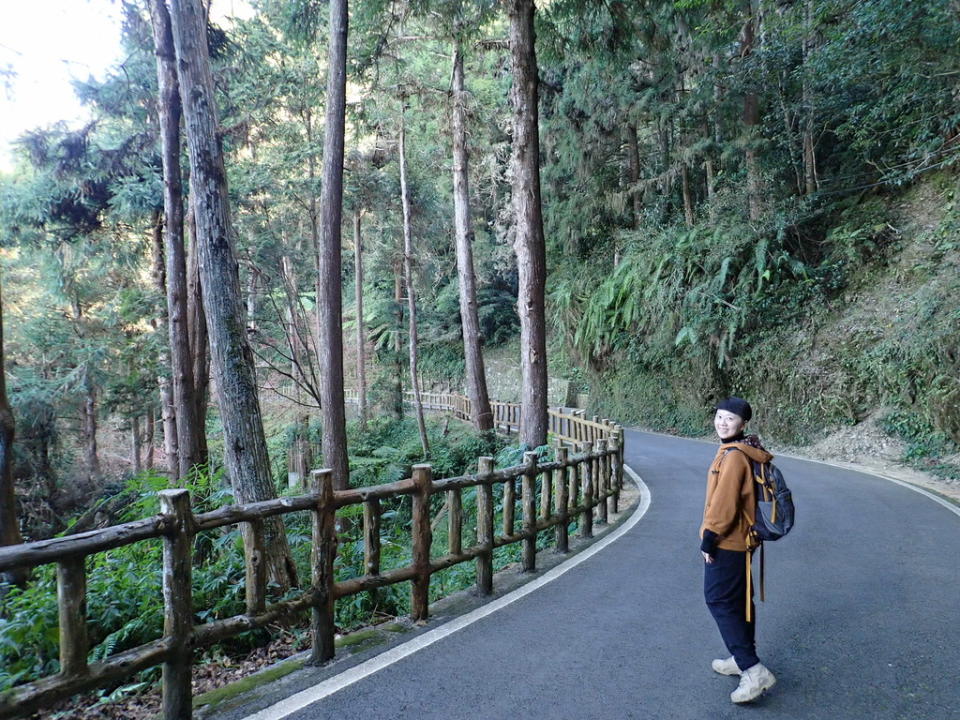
(480, 412)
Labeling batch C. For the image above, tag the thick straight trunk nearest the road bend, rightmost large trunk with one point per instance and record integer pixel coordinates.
(529, 243)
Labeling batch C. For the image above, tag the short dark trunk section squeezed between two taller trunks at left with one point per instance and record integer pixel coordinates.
(199, 344)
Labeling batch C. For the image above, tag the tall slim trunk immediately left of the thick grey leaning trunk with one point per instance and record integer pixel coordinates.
(181, 362)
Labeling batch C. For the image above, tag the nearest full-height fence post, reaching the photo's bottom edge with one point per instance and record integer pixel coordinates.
(177, 604)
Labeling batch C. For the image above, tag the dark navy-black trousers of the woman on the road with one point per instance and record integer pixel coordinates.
(725, 590)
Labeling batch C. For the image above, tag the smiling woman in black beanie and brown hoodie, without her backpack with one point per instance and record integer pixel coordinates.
(729, 513)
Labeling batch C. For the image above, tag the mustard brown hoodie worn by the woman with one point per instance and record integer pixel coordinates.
(730, 506)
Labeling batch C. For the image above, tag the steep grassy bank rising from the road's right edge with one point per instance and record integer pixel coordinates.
(867, 372)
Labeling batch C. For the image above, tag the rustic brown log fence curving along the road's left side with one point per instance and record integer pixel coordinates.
(583, 485)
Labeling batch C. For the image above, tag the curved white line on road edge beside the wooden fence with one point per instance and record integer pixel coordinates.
(328, 687)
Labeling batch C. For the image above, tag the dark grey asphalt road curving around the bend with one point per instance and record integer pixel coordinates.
(862, 618)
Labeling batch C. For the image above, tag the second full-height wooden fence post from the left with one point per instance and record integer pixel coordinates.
(324, 552)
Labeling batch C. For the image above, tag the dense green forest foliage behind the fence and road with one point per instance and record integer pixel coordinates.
(738, 196)
